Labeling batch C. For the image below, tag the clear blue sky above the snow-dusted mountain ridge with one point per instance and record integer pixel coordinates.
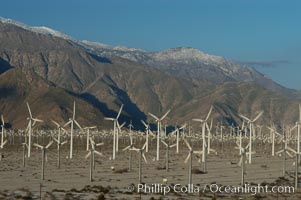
(264, 33)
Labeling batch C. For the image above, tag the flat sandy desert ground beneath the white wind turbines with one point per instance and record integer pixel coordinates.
(71, 181)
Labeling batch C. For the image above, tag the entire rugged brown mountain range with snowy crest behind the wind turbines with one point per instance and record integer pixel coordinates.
(57, 70)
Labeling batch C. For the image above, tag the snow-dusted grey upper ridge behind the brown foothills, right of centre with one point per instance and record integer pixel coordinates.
(192, 63)
